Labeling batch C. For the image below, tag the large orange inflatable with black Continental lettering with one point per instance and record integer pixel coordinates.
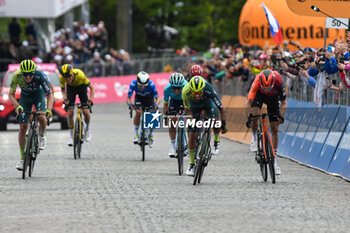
(307, 30)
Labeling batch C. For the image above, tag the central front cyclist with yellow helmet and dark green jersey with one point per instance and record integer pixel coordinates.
(199, 95)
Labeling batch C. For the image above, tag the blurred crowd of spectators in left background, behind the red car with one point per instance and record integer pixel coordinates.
(83, 45)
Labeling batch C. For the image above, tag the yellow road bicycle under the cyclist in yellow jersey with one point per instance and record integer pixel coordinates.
(78, 133)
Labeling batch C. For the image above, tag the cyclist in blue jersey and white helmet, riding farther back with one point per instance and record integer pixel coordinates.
(146, 95)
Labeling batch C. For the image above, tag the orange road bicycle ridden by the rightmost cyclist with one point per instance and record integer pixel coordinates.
(265, 155)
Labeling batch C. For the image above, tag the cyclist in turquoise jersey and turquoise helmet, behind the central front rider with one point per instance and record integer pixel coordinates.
(173, 90)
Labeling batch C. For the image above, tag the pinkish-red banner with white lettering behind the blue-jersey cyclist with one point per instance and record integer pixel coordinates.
(115, 89)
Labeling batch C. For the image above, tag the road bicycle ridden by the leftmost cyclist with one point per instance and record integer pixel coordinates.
(32, 145)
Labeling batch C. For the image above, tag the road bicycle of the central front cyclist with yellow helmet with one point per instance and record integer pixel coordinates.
(203, 152)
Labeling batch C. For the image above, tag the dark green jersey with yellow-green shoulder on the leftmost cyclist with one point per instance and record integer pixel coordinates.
(38, 83)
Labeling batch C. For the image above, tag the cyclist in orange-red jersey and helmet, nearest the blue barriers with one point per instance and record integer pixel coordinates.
(267, 88)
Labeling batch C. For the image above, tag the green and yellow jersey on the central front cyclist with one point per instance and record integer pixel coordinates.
(208, 95)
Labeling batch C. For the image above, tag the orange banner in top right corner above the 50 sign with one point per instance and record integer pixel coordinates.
(337, 9)
